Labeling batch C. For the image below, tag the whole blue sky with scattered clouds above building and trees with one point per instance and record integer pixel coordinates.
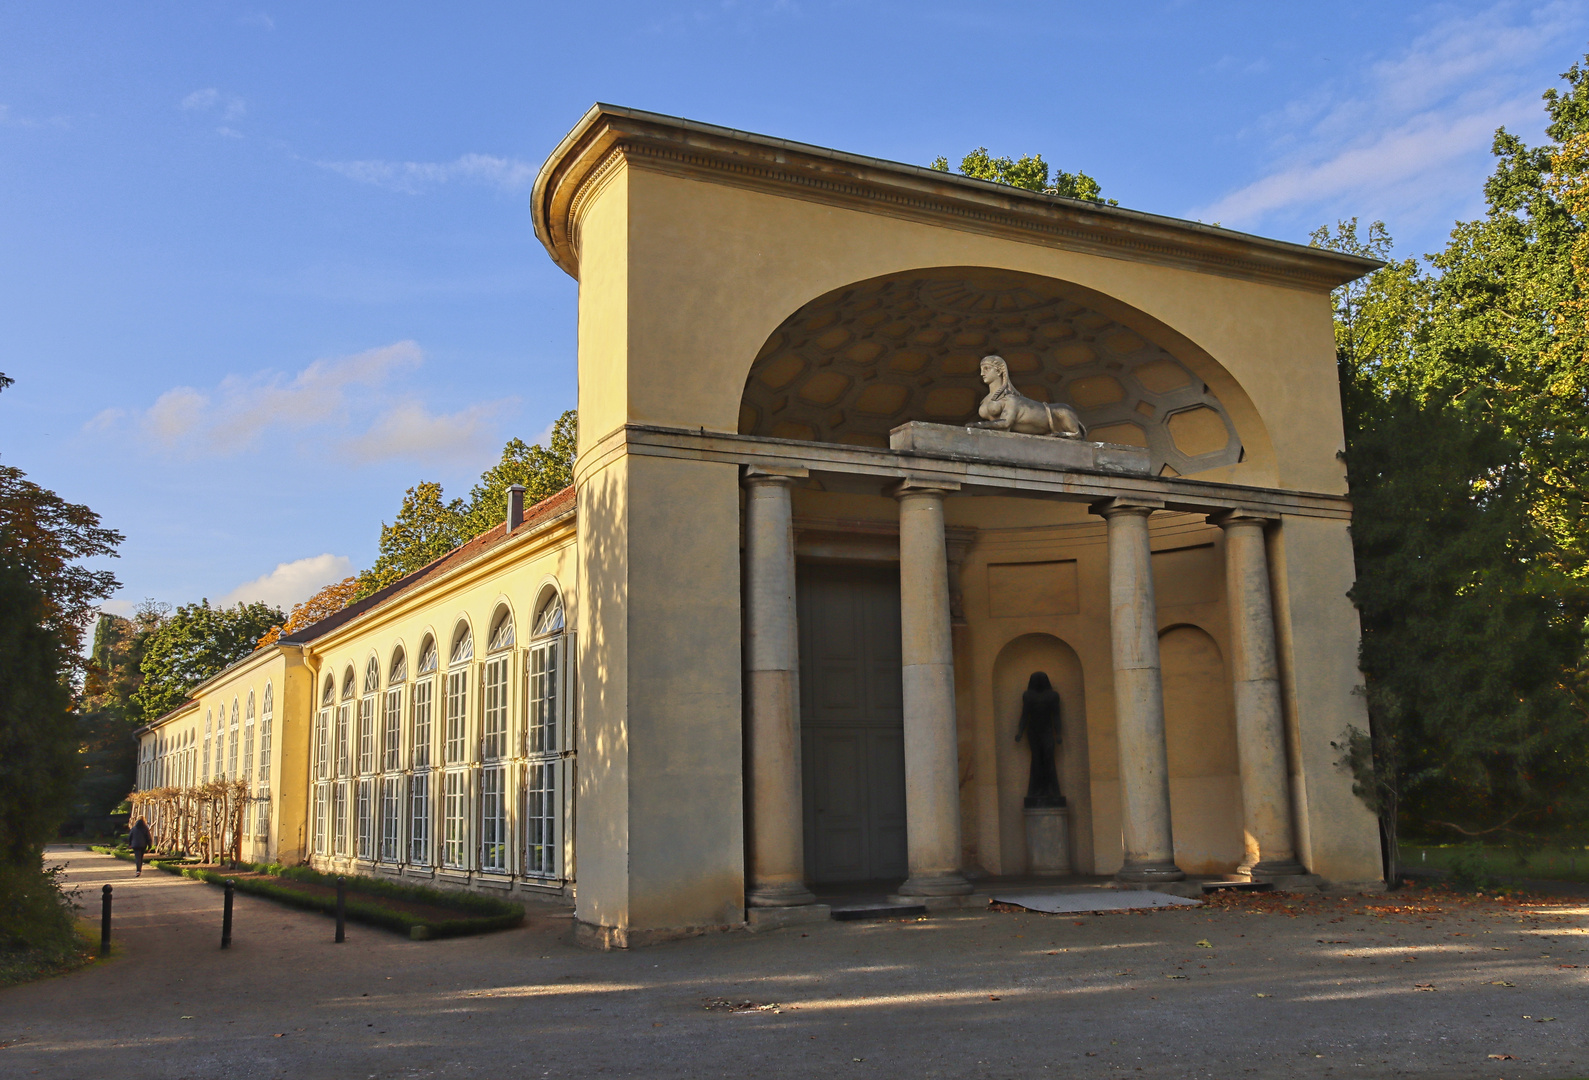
(265, 268)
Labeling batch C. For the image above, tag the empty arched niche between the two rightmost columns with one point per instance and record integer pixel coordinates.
(1200, 735)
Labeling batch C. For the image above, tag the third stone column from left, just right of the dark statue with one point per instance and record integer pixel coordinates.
(1139, 698)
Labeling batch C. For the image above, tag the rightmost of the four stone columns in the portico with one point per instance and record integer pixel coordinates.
(1261, 727)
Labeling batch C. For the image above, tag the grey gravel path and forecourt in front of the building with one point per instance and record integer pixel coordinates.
(1328, 987)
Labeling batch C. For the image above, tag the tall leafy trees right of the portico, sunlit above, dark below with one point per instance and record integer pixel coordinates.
(1466, 393)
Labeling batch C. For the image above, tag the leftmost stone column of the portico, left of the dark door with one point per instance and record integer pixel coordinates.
(773, 771)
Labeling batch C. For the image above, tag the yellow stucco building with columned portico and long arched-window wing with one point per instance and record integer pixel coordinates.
(775, 639)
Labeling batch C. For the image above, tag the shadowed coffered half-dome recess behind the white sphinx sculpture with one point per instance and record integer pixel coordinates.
(856, 363)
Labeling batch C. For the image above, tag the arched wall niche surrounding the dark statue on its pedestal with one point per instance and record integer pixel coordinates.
(1011, 669)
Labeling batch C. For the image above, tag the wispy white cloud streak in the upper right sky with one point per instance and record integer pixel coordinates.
(1418, 129)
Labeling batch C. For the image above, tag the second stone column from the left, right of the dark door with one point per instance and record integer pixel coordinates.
(932, 757)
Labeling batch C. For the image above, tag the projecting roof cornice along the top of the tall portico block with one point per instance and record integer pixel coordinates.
(608, 136)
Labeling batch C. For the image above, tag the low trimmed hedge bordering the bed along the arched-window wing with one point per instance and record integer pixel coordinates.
(481, 916)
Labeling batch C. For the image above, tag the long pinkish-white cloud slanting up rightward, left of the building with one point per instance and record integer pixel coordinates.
(241, 411)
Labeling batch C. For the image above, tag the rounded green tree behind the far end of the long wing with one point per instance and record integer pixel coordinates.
(196, 642)
